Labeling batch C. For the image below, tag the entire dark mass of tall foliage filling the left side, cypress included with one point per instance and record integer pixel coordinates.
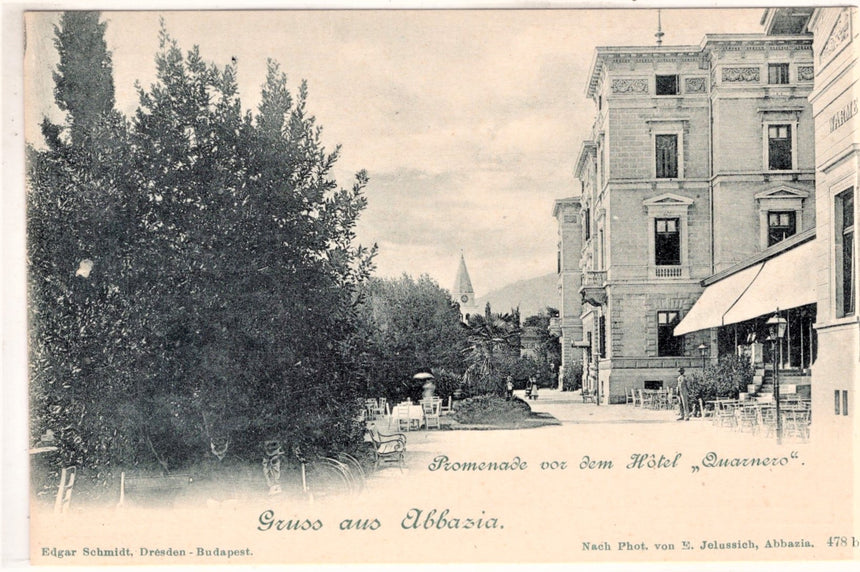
(217, 279)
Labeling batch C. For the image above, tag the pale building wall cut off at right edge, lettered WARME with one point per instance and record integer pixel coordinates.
(837, 140)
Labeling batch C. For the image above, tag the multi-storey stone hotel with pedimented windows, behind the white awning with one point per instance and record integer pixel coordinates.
(699, 157)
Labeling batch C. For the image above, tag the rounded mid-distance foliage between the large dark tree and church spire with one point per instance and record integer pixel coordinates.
(406, 326)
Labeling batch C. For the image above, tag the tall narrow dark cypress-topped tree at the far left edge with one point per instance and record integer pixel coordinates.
(80, 221)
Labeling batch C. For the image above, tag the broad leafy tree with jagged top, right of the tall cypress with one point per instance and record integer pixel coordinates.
(251, 239)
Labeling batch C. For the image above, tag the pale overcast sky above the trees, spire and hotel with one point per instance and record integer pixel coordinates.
(468, 122)
